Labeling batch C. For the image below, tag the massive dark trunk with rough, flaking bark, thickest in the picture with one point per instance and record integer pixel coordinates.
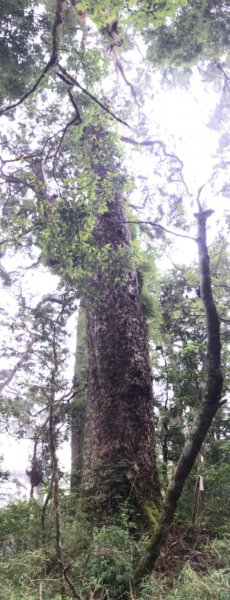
(121, 461)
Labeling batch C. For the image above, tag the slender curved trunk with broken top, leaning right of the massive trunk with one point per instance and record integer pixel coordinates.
(214, 383)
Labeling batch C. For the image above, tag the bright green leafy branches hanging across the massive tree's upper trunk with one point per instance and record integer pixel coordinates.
(65, 230)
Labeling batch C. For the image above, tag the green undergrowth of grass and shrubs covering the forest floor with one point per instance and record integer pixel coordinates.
(101, 563)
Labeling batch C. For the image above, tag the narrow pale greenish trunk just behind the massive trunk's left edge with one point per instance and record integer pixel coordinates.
(78, 404)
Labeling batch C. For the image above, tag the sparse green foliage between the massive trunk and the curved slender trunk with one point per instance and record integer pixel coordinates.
(179, 359)
